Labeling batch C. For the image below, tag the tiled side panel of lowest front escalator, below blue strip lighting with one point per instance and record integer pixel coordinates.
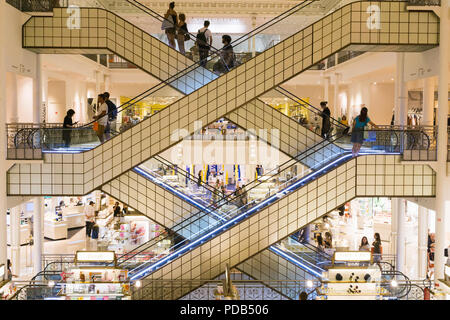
(303, 206)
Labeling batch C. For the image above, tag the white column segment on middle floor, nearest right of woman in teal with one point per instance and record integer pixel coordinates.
(401, 91)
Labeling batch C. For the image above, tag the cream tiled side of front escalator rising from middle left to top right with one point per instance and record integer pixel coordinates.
(219, 98)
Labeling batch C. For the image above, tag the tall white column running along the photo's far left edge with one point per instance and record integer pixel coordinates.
(3, 163)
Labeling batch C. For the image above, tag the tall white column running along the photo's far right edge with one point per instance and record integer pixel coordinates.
(441, 179)
